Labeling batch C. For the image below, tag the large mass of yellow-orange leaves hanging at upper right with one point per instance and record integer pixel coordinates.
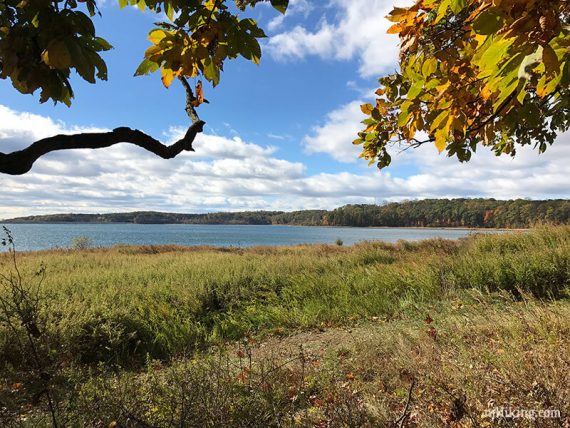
(489, 72)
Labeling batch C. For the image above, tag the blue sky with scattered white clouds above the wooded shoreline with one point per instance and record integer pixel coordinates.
(278, 135)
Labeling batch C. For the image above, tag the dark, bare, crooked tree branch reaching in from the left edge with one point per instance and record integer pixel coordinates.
(20, 162)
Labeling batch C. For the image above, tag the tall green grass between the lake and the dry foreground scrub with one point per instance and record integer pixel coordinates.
(117, 304)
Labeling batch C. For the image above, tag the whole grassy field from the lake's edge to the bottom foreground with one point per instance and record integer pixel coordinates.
(298, 336)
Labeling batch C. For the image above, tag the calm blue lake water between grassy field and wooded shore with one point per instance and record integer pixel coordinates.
(45, 236)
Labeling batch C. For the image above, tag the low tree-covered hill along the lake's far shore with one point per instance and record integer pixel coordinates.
(490, 213)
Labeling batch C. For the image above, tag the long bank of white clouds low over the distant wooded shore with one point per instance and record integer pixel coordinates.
(228, 174)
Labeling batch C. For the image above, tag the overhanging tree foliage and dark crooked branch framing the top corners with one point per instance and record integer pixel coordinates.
(472, 72)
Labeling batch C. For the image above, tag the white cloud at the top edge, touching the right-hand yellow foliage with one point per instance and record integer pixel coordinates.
(357, 31)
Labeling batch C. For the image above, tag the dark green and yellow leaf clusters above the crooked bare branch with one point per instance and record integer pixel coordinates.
(41, 42)
